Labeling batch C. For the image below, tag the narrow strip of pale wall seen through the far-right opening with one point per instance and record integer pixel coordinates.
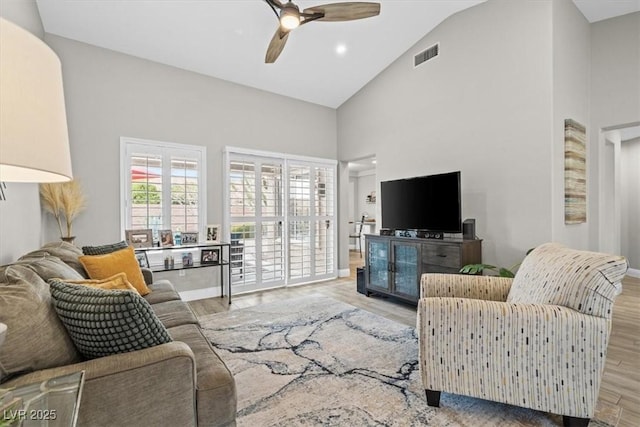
(630, 195)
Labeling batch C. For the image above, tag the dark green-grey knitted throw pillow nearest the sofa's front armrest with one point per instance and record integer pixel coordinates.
(104, 322)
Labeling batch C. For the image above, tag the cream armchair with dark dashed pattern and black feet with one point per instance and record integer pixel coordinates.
(537, 341)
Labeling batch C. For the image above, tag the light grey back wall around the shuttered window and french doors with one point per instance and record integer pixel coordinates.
(110, 95)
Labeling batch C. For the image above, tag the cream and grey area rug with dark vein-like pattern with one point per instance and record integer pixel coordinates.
(315, 361)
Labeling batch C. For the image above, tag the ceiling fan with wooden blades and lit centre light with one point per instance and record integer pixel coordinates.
(290, 17)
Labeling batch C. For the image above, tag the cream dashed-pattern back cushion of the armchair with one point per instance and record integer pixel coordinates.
(554, 274)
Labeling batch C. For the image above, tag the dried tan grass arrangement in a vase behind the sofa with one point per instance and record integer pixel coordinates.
(64, 201)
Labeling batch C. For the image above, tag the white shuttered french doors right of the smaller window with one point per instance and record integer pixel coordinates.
(281, 220)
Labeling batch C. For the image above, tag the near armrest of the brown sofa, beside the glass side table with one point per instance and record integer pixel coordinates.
(154, 386)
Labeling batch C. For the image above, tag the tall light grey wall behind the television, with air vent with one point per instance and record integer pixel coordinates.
(484, 107)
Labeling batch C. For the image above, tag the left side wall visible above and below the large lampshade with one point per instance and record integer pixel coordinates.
(20, 224)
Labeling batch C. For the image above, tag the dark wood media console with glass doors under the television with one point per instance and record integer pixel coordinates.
(394, 265)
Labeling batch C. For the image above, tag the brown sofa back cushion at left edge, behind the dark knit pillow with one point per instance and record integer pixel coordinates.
(36, 339)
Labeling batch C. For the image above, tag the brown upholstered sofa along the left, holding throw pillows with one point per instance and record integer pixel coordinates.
(180, 382)
